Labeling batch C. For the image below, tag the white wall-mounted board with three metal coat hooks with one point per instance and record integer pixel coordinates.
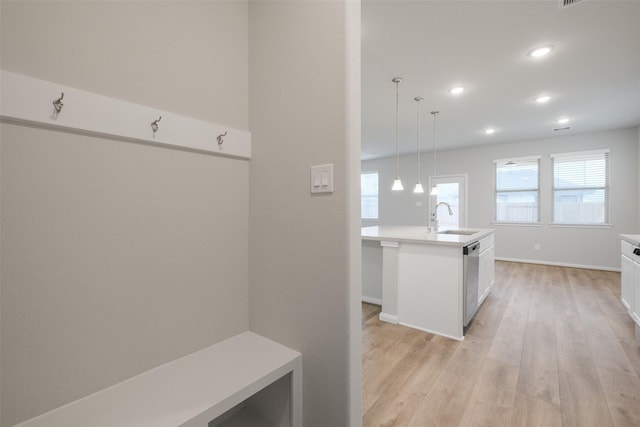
(33, 101)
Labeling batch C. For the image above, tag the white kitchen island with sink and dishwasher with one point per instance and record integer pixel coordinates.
(421, 275)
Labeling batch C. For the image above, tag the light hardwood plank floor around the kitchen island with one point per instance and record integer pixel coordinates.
(551, 346)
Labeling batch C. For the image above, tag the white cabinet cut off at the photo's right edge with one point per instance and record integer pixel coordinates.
(630, 278)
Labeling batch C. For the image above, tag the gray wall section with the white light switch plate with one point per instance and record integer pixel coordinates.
(303, 248)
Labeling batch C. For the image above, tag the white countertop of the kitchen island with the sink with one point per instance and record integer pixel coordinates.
(421, 234)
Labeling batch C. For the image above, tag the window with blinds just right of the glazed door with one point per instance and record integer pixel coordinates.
(517, 192)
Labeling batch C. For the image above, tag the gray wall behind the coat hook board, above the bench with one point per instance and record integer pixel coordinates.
(119, 257)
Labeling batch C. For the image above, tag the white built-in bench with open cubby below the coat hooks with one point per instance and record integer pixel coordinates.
(191, 391)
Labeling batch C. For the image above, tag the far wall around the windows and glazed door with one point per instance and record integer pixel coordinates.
(567, 246)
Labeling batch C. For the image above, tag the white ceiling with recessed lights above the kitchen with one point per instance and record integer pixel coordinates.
(593, 73)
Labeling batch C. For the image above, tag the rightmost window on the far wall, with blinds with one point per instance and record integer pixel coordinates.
(581, 188)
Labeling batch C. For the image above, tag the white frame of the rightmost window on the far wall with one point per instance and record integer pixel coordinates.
(577, 155)
